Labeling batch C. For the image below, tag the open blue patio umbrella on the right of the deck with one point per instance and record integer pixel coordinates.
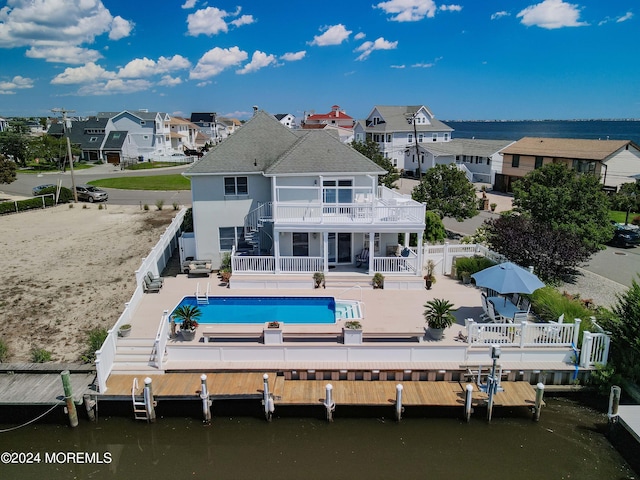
(507, 278)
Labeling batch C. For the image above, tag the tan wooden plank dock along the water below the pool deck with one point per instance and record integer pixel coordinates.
(312, 392)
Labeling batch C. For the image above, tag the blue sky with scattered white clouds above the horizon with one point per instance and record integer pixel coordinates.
(465, 60)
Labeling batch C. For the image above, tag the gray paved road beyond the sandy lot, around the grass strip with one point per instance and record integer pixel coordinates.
(25, 182)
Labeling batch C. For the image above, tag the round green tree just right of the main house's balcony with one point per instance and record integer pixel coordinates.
(446, 190)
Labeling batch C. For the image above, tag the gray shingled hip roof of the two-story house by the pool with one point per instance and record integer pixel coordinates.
(265, 145)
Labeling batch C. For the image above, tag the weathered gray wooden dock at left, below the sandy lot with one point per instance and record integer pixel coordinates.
(40, 384)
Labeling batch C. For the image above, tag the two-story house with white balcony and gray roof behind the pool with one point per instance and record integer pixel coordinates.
(298, 201)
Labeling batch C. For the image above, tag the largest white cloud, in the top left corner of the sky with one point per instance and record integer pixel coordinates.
(59, 28)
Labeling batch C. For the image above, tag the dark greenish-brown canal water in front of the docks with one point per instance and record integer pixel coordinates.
(569, 441)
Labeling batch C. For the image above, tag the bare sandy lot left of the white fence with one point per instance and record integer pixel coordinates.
(68, 270)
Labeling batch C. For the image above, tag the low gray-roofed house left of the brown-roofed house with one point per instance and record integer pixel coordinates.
(481, 160)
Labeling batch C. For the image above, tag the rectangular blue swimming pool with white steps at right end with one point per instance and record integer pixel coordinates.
(290, 310)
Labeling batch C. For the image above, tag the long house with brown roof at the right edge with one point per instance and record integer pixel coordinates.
(614, 161)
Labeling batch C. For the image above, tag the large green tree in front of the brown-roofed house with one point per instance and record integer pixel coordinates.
(566, 201)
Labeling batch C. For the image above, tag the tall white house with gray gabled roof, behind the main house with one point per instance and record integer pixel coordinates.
(396, 129)
